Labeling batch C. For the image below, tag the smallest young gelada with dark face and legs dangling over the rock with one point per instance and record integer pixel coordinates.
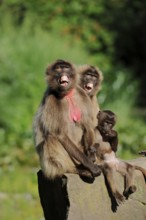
(107, 157)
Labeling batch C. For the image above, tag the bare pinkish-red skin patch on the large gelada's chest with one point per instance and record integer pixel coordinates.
(74, 110)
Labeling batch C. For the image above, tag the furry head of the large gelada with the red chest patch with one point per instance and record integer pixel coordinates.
(61, 76)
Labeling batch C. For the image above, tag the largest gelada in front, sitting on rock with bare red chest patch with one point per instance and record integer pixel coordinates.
(63, 118)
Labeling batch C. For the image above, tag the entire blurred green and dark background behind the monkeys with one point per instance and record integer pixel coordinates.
(109, 34)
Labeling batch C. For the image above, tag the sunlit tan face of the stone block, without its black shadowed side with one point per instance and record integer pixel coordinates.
(92, 201)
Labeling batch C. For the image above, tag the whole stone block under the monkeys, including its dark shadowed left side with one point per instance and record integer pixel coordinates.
(70, 198)
